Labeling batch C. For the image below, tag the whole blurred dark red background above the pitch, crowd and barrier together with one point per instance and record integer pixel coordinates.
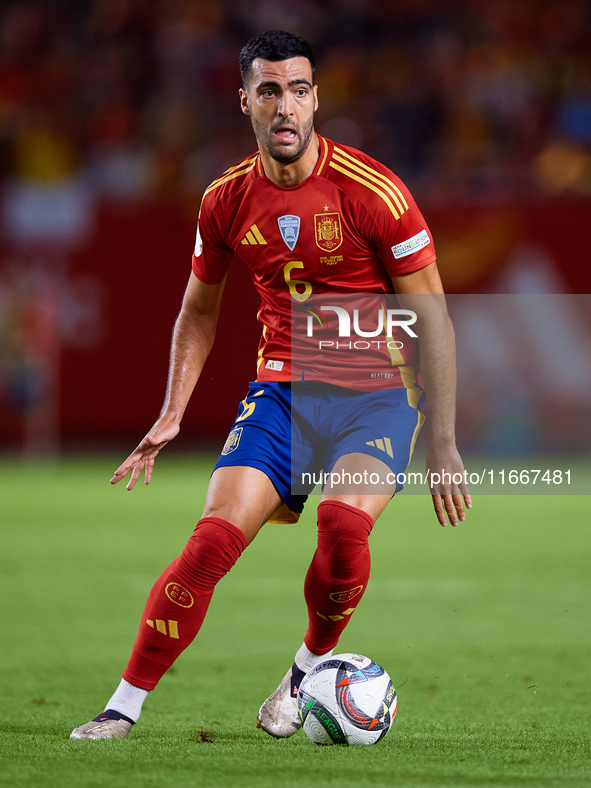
(115, 115)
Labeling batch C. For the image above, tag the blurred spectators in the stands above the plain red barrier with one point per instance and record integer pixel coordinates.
(136, 99)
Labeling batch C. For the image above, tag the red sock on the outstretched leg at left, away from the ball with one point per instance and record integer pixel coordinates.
(178, 602)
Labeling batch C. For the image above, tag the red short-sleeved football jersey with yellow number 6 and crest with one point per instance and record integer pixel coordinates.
(349, 227)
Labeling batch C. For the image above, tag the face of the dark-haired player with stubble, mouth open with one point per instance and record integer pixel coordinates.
(281, 101)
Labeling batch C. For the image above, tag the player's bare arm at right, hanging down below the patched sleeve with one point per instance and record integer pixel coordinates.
(422, 292)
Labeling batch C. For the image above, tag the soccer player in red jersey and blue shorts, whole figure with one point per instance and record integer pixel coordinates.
(309, 217)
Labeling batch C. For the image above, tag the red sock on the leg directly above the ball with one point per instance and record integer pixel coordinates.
(338, 574)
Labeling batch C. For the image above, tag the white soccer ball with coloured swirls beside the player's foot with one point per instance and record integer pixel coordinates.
(346, 699)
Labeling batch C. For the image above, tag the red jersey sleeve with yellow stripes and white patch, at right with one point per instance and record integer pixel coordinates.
(404, 243)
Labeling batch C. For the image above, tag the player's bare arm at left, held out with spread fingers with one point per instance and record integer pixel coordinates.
(192, 340)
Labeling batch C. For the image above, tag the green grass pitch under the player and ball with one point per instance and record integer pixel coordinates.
(485, 630)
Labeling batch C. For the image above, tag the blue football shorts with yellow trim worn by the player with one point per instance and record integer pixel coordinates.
(293, 431)
